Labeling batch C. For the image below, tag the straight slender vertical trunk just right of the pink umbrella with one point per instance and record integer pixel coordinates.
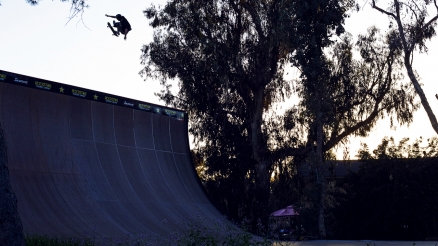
(320, 171)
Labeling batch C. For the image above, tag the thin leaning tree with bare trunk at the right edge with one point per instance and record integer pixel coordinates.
(413, 30)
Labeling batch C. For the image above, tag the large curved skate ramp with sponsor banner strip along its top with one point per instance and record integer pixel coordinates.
(85, 163)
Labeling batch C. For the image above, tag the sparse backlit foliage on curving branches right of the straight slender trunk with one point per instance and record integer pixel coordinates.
(365, 89)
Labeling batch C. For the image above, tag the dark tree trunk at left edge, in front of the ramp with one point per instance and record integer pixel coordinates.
(11, 229)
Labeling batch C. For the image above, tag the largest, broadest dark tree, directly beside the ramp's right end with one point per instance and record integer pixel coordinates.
(228, 57)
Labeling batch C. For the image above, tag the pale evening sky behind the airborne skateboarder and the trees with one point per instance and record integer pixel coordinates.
(37, 41)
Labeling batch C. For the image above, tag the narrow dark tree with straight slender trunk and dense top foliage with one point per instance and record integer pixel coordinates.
(319, 20)
